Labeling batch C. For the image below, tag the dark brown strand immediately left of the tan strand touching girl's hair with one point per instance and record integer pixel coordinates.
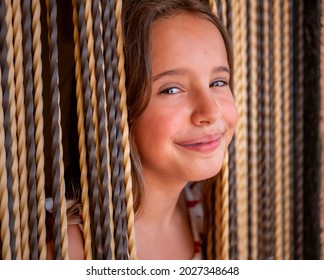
(115, 131)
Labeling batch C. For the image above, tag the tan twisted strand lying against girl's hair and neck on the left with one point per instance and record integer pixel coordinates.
(125, 129)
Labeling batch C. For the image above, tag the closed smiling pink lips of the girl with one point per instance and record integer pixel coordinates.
(204, 144)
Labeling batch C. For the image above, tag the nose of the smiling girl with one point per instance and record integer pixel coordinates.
(205, 109)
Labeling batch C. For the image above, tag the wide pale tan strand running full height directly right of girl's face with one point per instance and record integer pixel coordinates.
(239, 78)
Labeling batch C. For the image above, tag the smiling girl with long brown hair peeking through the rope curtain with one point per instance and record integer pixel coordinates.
(182, 117)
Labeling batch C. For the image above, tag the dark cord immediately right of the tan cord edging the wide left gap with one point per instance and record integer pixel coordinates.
(91, 147)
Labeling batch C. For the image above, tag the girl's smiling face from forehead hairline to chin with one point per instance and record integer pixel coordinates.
(190, 120)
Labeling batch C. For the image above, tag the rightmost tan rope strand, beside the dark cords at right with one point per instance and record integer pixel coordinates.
(287, 118)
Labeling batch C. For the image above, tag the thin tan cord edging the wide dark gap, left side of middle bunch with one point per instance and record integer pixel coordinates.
(81, 144)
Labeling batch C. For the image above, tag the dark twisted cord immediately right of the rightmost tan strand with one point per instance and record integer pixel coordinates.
(299, 137)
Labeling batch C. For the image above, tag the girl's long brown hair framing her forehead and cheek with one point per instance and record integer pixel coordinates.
(138, 17)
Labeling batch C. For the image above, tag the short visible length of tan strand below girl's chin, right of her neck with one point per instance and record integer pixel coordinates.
(224, 209)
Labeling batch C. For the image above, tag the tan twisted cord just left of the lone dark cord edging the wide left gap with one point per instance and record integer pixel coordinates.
(39, 126)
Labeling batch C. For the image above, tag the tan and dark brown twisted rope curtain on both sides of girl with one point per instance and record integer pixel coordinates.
(256, 209)
